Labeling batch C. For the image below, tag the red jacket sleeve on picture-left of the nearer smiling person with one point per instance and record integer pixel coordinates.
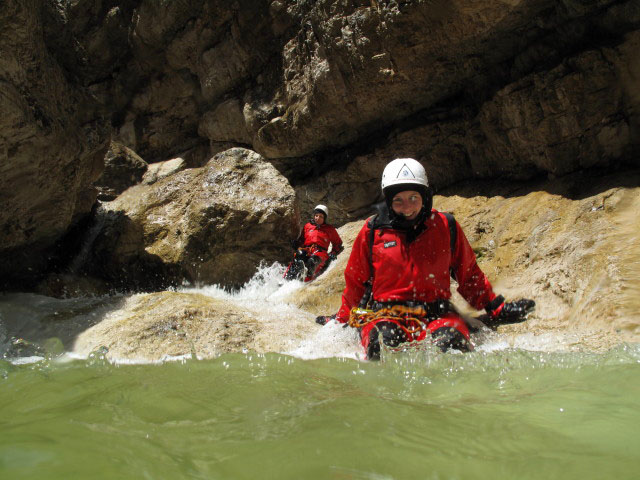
(356, 274)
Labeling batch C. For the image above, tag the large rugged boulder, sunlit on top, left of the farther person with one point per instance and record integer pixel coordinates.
(213, 224)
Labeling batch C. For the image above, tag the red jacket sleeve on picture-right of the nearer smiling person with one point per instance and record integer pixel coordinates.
(473, 284)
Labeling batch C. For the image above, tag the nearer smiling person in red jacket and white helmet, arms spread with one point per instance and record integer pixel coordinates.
(406, 265)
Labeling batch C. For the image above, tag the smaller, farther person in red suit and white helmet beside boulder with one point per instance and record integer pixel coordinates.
(312, 246)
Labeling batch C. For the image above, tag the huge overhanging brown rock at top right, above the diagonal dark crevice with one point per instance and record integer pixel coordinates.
(355, 67)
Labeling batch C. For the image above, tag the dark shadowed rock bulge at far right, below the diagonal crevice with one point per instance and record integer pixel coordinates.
(558, 121)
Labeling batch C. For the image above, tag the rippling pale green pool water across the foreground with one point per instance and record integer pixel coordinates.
(506, 414)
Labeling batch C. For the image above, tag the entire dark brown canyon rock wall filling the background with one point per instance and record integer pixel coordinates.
(327, 91)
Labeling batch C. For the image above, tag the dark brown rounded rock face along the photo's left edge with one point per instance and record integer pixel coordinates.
(53, 139)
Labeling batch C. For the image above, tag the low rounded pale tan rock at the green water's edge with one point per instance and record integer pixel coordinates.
(152, 327)
